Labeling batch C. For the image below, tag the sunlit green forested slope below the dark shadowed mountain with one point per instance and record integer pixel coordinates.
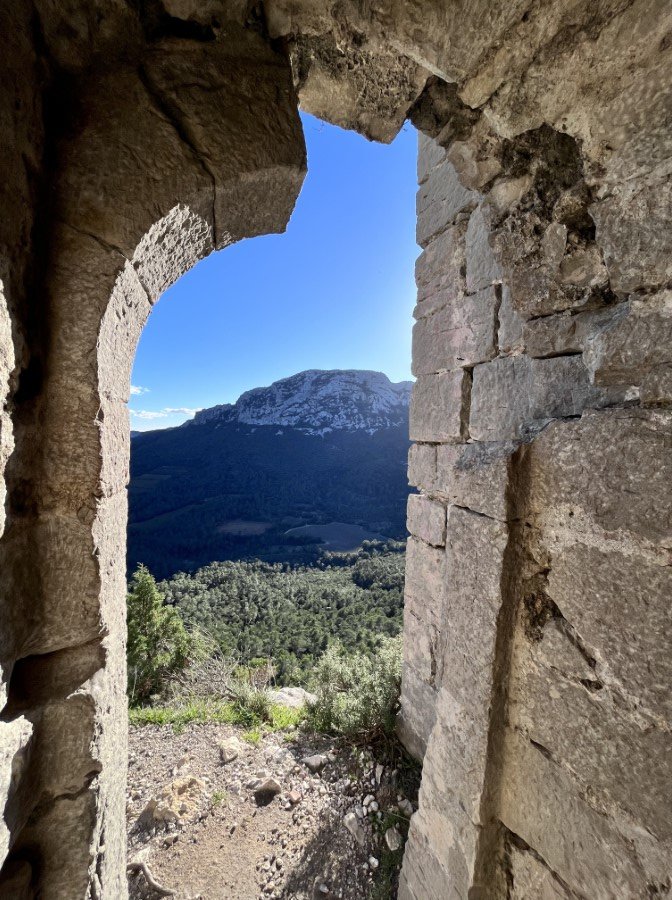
(289, 614)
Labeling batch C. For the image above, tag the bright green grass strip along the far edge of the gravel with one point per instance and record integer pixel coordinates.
(202, 711)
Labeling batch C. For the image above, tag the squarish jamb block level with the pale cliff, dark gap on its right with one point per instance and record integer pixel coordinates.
(440, 407)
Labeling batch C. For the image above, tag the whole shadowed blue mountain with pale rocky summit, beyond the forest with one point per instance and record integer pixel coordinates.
(317, 460)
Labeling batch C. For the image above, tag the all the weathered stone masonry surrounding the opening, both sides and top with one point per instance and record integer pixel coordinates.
(139, 136)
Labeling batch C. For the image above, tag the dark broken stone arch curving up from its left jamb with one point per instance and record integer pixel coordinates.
(162, 192)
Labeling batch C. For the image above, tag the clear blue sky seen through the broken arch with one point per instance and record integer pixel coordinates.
(336, 291)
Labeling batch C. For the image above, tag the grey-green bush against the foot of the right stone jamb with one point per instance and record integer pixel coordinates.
(357, 695)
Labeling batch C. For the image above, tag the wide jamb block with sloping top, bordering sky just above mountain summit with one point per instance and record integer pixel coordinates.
(462, 333)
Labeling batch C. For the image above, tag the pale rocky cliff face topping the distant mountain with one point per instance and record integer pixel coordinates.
(320, 401)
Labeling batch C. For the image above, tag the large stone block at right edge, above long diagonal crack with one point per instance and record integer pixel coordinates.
(620, 606)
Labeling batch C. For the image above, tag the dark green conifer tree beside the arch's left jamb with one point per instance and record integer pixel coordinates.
(158, 643)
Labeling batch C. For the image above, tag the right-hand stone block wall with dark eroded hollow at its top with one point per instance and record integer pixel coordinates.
(537, 619)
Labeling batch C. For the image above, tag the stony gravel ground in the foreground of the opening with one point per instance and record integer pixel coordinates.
(212, 816)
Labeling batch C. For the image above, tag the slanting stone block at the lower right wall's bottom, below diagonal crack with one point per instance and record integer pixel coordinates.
(540, 804)
